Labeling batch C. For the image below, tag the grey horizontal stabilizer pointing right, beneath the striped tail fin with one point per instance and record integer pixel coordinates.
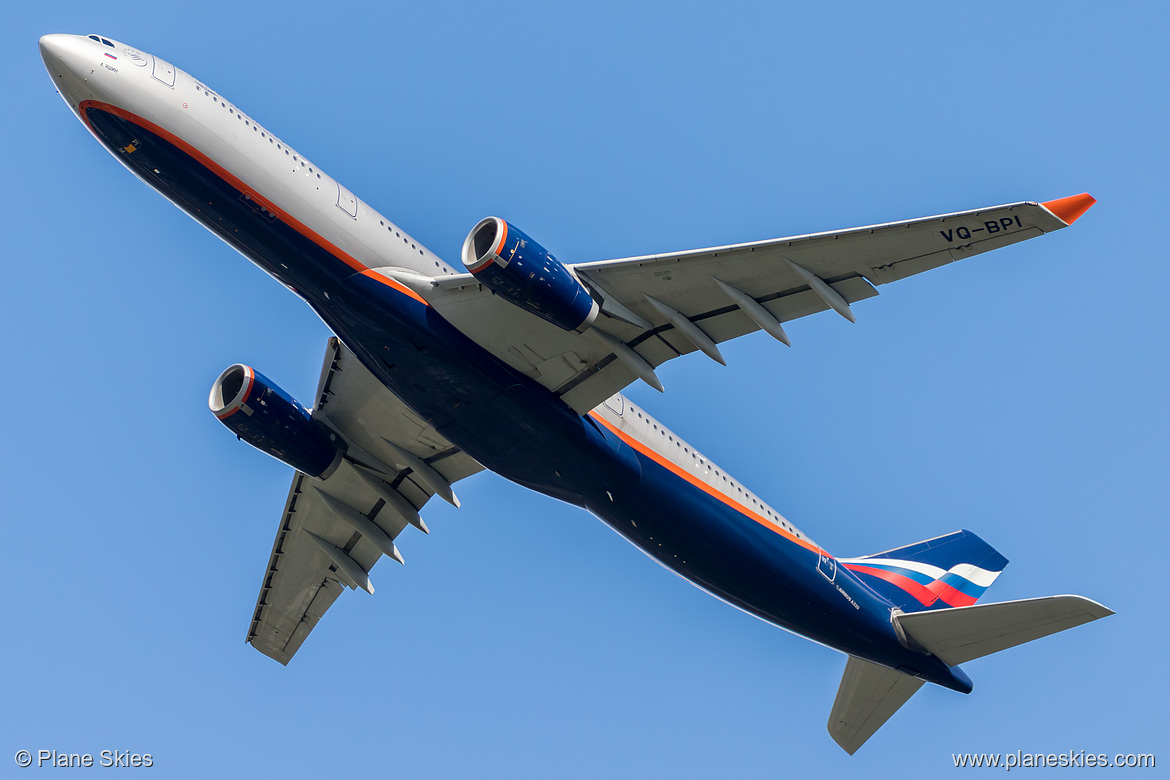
(966, 633)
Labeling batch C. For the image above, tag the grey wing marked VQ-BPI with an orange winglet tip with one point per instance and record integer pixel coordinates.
(660, 307)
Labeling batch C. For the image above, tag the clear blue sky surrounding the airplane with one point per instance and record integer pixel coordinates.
(1021, 395)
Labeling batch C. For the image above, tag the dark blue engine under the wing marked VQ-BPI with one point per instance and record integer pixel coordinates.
(519, 270)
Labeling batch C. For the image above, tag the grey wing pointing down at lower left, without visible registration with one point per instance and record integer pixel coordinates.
(335, 530)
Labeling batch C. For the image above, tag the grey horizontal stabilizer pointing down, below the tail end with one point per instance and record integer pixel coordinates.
(866, 700)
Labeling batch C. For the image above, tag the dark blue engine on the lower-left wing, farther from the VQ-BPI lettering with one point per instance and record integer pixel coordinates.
(263, 415)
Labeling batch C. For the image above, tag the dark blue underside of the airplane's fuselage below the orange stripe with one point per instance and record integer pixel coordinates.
(518, 429)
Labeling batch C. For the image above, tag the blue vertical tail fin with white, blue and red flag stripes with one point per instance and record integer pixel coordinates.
(948, 571)
